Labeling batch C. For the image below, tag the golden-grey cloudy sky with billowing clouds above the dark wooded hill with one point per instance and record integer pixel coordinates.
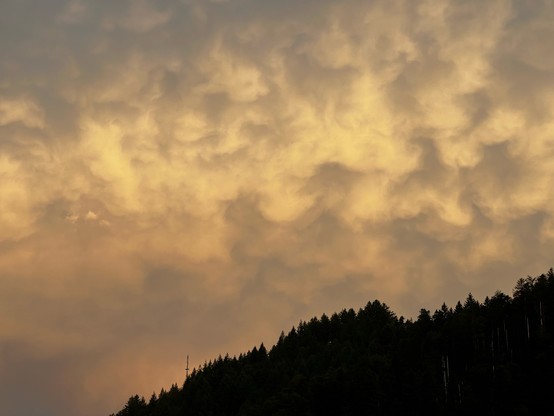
(192, 177)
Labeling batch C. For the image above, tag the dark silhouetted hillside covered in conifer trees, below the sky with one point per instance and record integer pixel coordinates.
(495, 357)
